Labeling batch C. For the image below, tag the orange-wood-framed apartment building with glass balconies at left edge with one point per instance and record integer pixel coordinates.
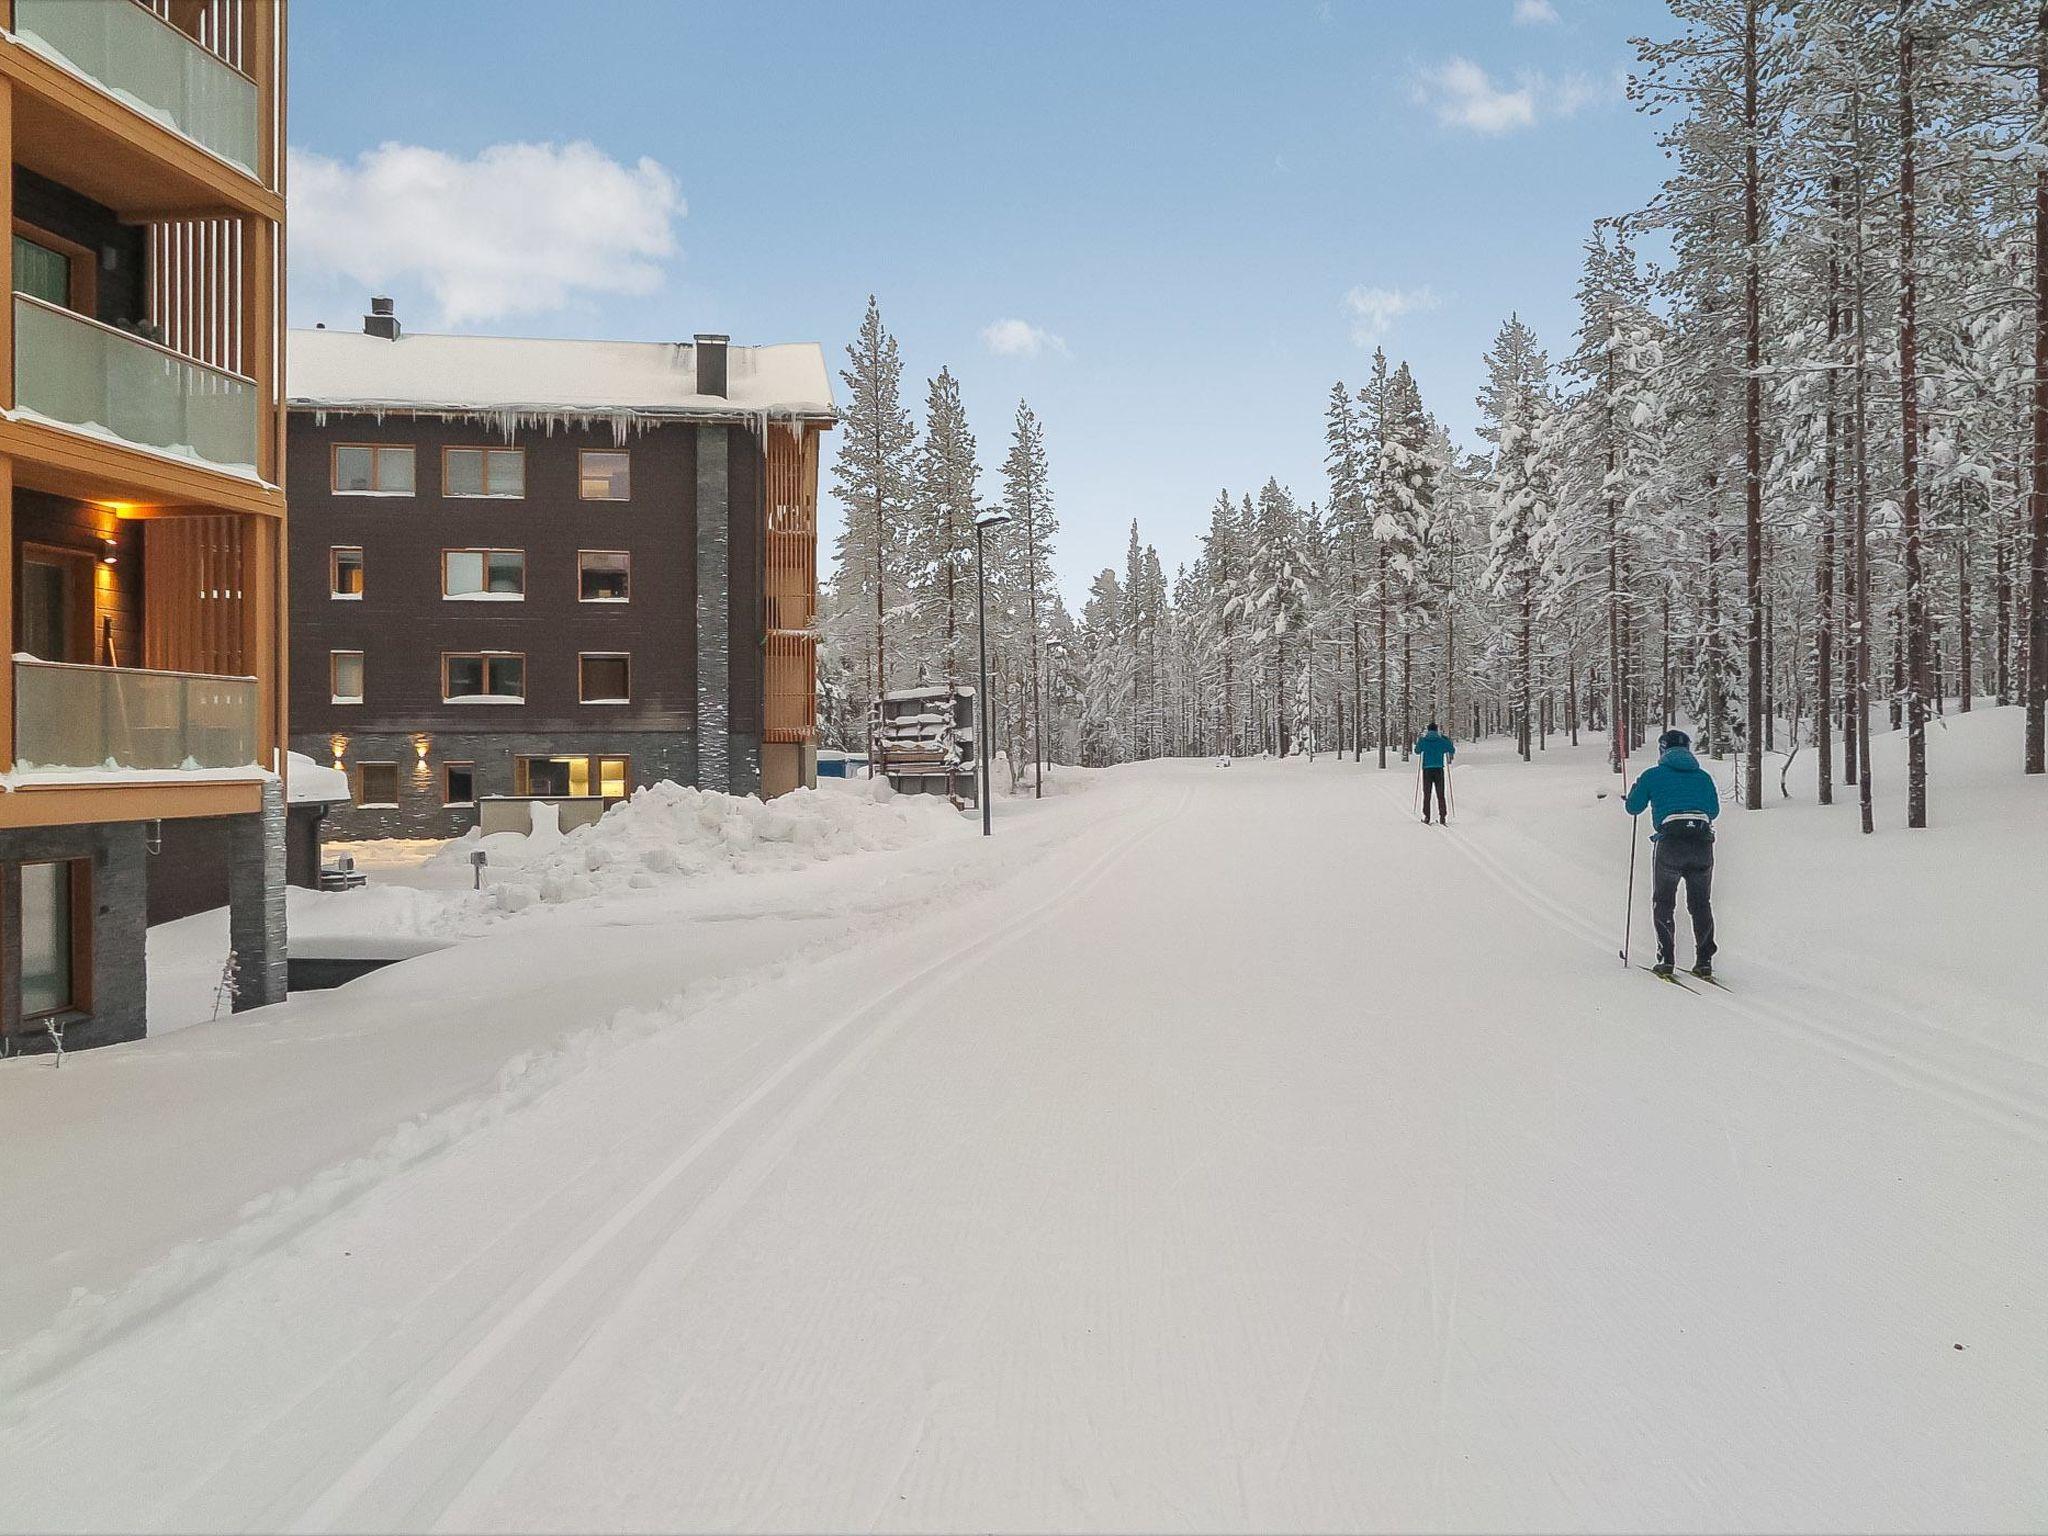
(142, 505)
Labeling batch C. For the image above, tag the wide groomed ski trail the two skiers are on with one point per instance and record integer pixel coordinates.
(1263, 1160)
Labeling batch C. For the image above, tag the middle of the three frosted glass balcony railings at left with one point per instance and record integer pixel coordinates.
(103, 380)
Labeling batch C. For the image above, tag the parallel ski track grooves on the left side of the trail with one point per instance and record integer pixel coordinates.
(447, 1390)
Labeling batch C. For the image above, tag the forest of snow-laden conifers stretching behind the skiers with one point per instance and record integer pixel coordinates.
(1787, 482)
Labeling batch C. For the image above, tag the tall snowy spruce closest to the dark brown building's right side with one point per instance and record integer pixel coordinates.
(876, 480)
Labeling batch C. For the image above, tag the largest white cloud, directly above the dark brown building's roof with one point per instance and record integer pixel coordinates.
(519, 228)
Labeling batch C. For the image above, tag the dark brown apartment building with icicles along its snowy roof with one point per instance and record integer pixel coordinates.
(550, 568)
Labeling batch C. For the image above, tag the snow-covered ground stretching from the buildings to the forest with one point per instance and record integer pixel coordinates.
(1209, 1150)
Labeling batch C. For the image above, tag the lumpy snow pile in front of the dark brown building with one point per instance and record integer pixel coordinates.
(671, 833)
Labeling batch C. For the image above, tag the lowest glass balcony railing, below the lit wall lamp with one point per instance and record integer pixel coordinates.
(120, 718)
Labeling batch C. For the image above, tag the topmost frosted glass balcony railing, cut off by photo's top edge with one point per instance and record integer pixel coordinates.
(153, 67)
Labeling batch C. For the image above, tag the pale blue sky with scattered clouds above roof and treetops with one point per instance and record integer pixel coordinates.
(1195, 216)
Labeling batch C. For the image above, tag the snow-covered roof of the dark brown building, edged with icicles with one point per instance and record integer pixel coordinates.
(335, 370)
